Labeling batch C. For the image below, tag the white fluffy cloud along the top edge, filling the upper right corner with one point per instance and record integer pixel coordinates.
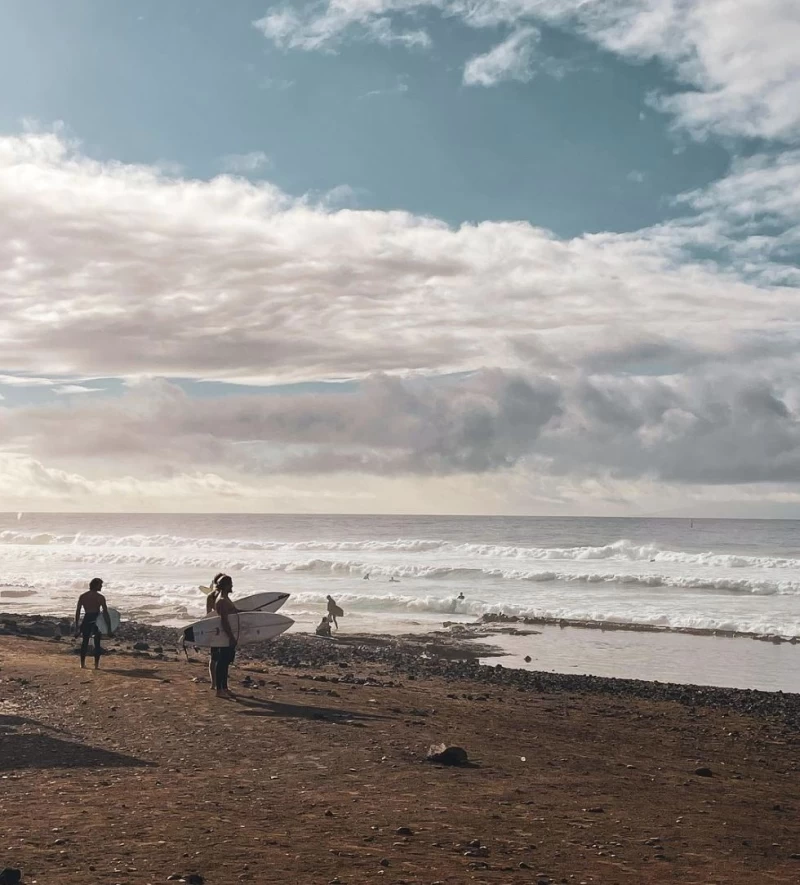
(736, 62)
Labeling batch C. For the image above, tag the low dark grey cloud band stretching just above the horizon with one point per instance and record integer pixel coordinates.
(708, 428)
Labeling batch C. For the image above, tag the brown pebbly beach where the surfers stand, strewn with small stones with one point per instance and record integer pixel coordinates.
(317, 772)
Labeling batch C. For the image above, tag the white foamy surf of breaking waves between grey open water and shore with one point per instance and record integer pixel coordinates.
(154, 576)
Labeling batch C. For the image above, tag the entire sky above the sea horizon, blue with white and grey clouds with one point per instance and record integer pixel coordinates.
(361, 256)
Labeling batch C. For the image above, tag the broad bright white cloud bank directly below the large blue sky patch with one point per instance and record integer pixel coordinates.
(233, 280)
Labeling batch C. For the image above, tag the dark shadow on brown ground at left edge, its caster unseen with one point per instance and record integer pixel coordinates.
(20, 749)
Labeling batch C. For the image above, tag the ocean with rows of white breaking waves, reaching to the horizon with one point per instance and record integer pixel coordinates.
(401, 574)
